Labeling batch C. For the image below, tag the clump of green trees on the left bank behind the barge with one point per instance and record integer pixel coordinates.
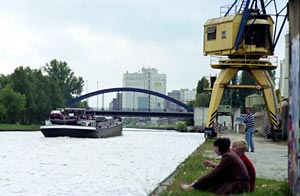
(28, 95)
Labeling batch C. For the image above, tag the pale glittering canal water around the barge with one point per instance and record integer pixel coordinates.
(132, 164)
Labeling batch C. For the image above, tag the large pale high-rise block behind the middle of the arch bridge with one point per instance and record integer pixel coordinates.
(147, 78)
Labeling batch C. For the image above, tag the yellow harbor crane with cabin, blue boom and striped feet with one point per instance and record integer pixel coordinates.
(244, 39)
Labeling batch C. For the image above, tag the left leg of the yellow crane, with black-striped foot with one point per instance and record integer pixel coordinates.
(223, 79)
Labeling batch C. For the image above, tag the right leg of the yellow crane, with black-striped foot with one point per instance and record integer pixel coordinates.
(263, 78)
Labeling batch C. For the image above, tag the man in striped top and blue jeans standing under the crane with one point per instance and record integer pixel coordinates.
(249, 120)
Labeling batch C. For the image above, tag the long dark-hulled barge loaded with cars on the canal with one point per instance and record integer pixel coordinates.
(77, 122)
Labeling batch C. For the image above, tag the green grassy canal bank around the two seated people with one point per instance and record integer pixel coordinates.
(193, 168)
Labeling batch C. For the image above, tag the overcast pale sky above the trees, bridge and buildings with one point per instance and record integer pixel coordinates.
(102, 39)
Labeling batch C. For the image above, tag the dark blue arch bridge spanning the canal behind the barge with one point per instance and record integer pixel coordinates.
(187, 112)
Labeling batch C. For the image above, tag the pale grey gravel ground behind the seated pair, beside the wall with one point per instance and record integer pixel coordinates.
(270, 158)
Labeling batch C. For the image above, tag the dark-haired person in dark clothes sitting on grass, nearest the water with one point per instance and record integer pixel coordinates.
(230, 176)
